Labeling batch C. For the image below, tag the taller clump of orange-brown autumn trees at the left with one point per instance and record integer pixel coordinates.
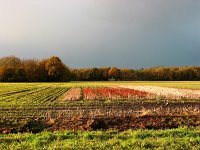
(13, 69)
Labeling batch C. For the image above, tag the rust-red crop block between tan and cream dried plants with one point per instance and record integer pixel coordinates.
(113, 93)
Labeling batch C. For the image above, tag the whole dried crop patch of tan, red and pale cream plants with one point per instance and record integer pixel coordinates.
(131, 93)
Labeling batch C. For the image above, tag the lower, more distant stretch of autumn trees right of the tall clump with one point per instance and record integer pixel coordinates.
(186, 73)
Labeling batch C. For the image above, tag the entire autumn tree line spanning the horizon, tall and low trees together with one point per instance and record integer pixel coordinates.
(14, 69)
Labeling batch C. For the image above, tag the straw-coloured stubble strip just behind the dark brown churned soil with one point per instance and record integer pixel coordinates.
(137, 109)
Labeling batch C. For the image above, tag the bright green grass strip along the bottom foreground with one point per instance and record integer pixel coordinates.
(177, 139)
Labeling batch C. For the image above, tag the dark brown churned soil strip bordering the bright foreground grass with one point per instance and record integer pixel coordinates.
(119, 123)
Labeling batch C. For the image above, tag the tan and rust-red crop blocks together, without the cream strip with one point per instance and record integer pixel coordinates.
(104, 93)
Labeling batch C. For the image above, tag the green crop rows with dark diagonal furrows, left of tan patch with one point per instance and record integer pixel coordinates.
(34, 96)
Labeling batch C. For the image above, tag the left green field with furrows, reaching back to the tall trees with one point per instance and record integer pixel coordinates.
(31, 93)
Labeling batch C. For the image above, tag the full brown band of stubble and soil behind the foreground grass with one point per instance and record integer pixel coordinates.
(123, 116)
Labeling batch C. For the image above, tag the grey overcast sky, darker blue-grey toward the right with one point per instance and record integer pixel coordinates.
(95, 33)
